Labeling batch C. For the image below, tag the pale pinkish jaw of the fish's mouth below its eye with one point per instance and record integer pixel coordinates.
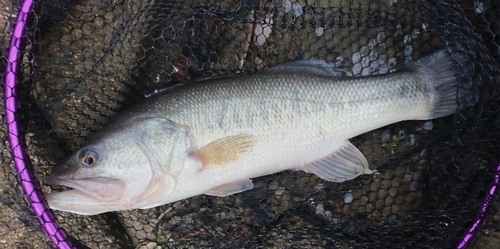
(100, 188)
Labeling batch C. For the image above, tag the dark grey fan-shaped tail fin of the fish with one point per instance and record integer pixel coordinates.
(442, 84)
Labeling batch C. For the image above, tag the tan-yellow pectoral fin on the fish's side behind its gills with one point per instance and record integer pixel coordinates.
(225, 150)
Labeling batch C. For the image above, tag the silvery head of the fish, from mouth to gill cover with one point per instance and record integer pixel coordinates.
(132, 166)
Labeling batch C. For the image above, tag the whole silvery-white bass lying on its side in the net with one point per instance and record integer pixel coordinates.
(214, 136)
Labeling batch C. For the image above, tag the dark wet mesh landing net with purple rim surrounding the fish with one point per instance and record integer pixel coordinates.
(69, 66)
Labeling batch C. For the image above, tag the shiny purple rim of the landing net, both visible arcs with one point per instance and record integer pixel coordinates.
(27, 180)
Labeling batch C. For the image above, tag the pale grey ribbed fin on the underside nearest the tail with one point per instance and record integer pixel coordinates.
(342, 165)
